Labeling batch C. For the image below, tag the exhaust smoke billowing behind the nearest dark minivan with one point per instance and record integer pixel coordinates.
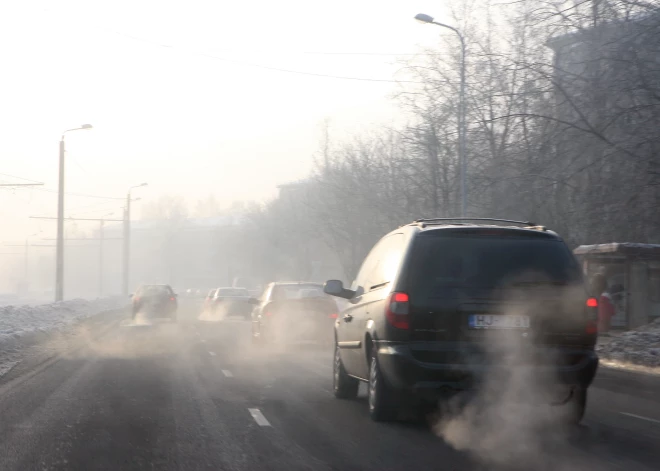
(513, 416)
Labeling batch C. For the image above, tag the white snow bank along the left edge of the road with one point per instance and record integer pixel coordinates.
(18, 321)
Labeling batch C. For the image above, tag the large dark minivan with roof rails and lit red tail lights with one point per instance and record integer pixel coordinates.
(440, 306)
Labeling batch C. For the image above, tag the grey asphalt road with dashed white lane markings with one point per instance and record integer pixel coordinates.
(198, 395)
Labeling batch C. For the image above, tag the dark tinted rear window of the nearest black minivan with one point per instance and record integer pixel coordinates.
(448, 265)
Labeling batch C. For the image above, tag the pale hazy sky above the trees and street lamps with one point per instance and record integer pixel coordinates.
(174, 117)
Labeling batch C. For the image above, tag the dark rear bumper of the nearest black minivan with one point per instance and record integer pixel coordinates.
(403, 370)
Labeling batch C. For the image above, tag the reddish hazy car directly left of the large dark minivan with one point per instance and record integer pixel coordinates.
(291, 312)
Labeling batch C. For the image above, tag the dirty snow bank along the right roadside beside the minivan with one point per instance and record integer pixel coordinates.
(638, 347)
